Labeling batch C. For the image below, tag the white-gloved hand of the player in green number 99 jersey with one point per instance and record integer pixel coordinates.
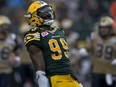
(41, 78)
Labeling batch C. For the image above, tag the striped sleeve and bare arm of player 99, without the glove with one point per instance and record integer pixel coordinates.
(33, 43)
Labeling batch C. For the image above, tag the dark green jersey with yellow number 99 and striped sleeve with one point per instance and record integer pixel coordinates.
(54, 47)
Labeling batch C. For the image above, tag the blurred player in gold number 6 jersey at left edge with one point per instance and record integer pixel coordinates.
(9, 54)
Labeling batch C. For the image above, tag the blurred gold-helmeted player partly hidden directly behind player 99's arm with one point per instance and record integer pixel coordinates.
(26, 68)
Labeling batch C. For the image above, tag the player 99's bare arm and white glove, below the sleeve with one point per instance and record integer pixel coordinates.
(38, 62)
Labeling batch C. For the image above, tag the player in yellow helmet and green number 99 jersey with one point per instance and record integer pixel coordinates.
(48, 48)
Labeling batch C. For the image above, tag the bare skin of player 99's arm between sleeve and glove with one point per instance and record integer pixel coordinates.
(36, 57)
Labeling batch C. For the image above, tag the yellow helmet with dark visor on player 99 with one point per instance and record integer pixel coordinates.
(40, 13)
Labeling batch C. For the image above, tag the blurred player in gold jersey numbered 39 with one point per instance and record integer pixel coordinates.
(102, 46)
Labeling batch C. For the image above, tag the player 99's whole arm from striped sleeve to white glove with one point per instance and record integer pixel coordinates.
(33, 42)
